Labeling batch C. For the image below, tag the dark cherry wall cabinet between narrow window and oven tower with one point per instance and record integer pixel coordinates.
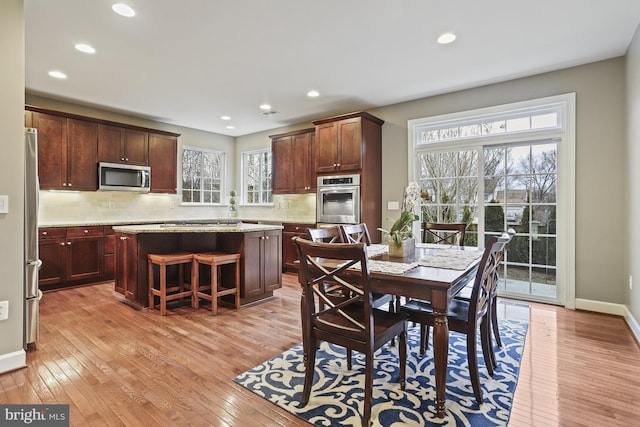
(293, 157)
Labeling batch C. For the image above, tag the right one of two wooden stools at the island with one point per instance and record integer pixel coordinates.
(215, 261)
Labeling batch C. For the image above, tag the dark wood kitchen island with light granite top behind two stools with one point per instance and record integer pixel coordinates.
(259, 246)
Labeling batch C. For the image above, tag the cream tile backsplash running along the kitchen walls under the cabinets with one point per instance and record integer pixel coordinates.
(118, 207)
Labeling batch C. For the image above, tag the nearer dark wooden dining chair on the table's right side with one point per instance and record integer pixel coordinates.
(467, 317)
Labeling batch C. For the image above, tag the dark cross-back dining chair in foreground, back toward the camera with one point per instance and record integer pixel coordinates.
(346, 322)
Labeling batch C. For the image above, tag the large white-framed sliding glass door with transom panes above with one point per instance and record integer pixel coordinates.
(506, 167)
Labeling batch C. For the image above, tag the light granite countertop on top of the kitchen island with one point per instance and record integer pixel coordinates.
(195, 228)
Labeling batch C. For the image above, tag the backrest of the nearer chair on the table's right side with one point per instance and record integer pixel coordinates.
(486, 279)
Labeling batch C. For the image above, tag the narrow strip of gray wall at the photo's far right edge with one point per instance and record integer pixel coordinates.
(632, 297)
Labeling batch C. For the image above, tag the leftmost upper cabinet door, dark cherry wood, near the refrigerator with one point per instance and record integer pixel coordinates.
(52, 150)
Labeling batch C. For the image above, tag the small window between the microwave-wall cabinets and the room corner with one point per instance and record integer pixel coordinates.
(202, 175)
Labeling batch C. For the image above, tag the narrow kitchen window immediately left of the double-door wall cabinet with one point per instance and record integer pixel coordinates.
(256, 177)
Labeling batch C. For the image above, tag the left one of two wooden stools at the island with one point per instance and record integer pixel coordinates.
(180, 290)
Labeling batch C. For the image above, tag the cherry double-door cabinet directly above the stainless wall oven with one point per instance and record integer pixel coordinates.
(347, 143)
